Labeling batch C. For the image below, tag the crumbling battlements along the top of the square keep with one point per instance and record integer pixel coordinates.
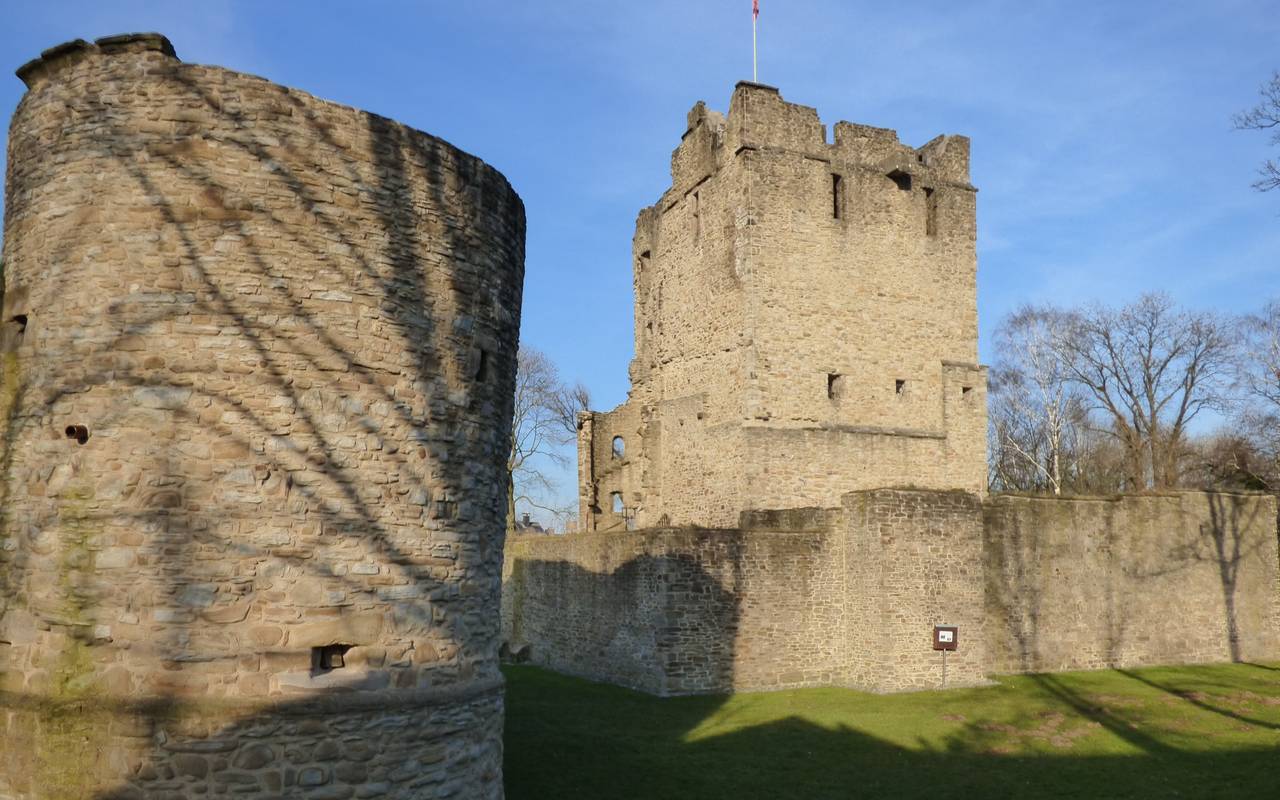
(760, 120)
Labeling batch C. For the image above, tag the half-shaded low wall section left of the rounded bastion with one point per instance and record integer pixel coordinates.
(678, 611)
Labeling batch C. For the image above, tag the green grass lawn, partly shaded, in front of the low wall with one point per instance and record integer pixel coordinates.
(1162, 733)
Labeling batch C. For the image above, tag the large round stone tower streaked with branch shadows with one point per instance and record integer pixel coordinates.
(259, 358)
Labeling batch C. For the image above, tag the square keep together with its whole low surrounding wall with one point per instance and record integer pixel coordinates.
(794, 492)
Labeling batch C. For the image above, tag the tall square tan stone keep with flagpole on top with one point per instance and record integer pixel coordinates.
(806, 324)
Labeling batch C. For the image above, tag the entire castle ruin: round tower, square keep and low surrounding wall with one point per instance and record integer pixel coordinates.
(258, 360)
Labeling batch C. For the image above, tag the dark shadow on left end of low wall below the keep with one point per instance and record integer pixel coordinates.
(660, 624)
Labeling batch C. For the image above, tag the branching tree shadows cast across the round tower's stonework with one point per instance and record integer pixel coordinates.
(186, 746)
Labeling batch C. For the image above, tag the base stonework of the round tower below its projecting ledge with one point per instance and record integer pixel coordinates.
(435, 744)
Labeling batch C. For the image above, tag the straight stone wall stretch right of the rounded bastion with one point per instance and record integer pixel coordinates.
(1162, 579)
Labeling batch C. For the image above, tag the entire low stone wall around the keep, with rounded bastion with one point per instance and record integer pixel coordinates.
(849, 597)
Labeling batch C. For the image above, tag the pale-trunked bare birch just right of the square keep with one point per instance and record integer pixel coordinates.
(1036, 409)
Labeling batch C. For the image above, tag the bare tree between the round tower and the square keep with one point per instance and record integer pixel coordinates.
(545, 423)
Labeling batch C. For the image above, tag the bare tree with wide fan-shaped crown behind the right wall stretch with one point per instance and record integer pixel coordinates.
(1149, 371)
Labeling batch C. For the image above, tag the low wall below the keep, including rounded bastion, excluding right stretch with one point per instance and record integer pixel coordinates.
(787, 600)
